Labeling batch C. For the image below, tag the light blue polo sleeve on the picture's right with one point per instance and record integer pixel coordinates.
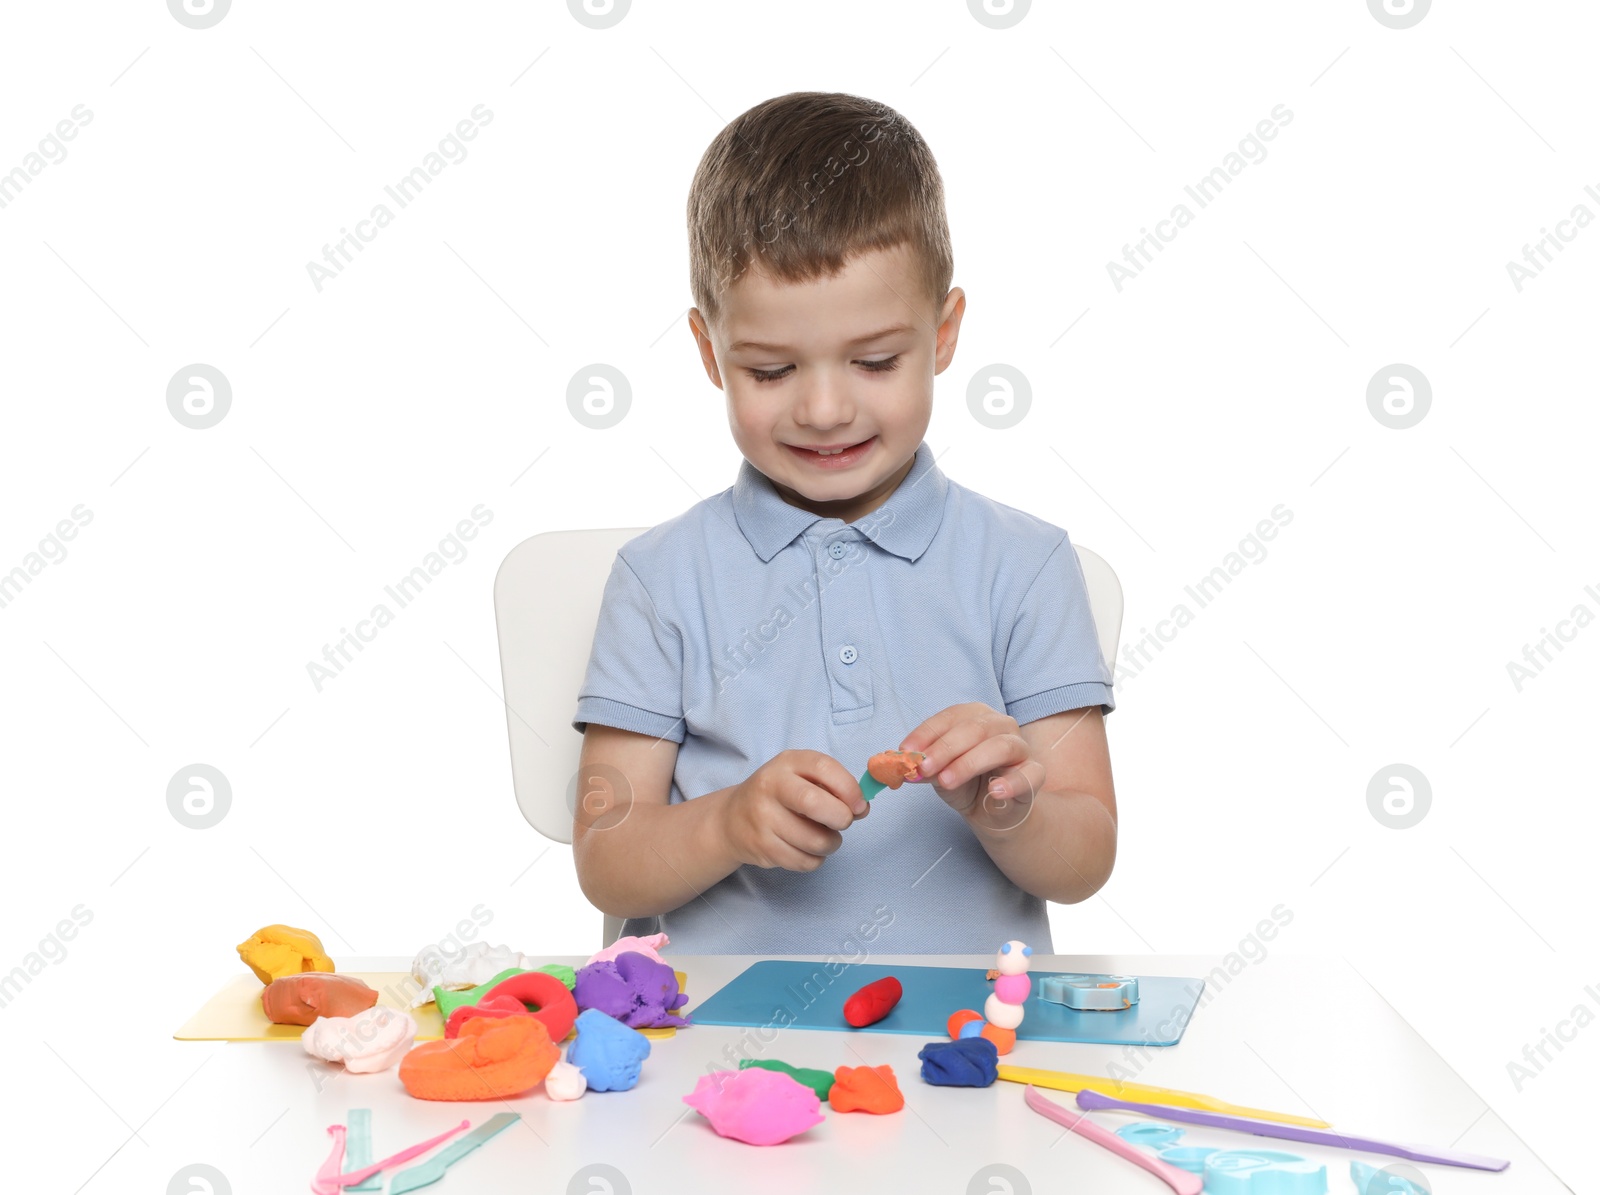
(1054, 661)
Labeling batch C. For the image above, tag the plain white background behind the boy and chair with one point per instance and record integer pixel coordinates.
(431, 377)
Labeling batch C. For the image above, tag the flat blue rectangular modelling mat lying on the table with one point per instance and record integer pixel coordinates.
(807, 996)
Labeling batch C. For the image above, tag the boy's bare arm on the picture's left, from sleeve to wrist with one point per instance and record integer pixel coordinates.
(636, 853)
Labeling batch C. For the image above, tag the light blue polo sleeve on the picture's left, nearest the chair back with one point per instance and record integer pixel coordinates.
(636, 666)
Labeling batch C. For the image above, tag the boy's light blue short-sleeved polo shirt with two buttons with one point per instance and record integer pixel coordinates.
(745, 628)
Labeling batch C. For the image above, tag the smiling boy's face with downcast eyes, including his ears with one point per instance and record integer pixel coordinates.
(844, 361)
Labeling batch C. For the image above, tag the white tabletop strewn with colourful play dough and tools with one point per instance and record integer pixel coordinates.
(1305, 1037)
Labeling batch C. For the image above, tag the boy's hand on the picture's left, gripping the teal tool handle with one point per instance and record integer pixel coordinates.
(793, 810)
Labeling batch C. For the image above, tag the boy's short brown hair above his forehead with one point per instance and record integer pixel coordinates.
(799, 185)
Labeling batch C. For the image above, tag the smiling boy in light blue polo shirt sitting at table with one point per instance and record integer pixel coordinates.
(841, 599)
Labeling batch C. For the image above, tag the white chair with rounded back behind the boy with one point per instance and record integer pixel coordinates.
(546, 607)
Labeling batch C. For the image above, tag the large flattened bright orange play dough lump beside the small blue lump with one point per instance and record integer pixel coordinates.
(495, 1058)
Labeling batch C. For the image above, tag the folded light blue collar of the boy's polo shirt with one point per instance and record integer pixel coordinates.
(903, 526)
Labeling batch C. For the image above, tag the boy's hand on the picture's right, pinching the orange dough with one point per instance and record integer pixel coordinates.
(972, 749)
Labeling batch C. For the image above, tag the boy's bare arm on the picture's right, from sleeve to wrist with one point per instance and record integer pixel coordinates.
(1063, 844)
